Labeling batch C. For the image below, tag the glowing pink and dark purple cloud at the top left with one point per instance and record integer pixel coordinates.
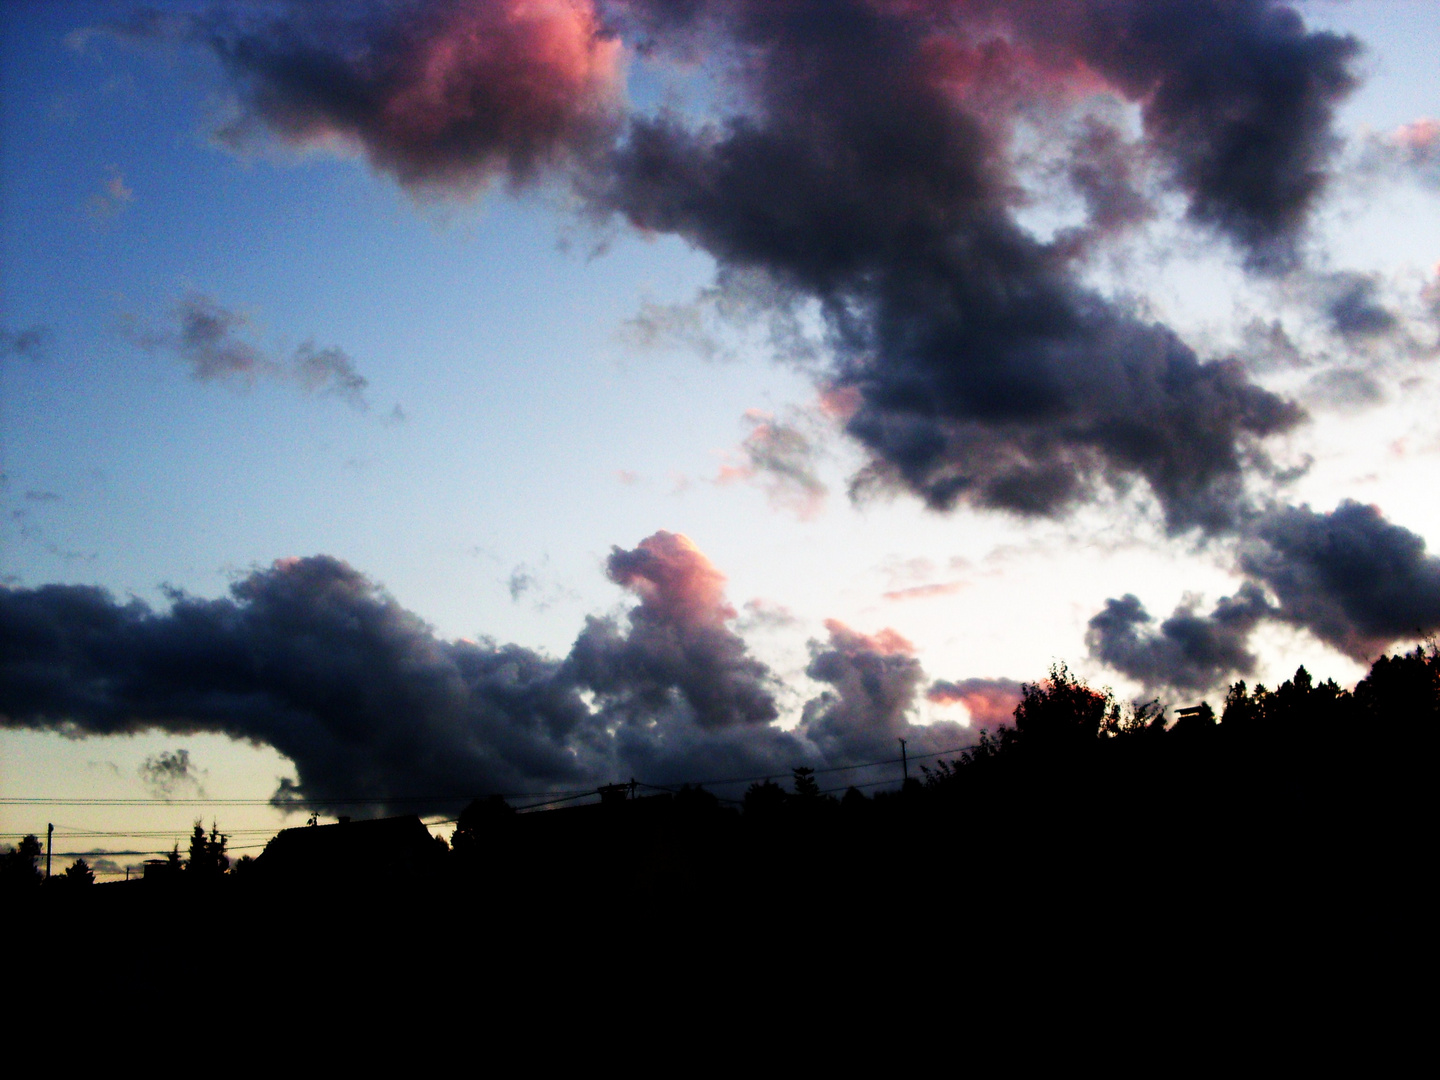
(443, 96)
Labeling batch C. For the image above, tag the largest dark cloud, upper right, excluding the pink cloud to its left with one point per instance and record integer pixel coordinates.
(986, 371)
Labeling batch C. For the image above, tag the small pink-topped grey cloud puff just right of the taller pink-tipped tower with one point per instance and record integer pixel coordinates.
(875, 682)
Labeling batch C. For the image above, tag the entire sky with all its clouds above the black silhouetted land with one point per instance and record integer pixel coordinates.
(417, 400)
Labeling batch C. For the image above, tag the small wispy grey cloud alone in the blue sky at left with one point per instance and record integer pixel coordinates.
(211, 341)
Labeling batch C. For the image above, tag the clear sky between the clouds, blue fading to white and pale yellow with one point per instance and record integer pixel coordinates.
(542, 387)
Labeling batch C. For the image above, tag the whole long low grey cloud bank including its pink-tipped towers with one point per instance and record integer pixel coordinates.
(316, 660)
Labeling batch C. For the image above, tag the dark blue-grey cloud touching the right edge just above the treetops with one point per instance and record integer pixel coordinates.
(1351, 578)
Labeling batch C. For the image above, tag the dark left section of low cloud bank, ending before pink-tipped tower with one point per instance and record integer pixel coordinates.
(307, 657)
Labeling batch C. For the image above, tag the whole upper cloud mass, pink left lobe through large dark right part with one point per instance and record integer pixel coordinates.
(859, 158)
